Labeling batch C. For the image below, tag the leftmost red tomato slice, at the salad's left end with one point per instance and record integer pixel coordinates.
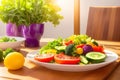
(44, 57)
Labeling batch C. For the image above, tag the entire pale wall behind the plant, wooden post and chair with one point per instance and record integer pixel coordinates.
(65, 28)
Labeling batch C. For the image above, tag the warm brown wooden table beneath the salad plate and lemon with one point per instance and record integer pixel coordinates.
(32, 71)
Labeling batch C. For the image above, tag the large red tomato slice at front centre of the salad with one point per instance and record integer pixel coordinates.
(65, 59)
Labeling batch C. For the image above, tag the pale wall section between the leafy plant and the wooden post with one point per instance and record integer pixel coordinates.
(65, 28)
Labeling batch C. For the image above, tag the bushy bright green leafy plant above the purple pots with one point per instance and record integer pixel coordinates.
(26, 12)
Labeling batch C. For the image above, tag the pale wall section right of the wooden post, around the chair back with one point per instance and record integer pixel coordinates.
(84, 6)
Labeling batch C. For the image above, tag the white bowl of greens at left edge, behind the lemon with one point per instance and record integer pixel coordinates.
(17, 44)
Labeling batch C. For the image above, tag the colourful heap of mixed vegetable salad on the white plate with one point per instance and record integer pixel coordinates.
(76, 49)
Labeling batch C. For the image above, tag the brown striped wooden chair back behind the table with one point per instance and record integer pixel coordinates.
(104, 23)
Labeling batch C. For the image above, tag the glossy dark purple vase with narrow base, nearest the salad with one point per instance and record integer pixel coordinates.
(33, 34)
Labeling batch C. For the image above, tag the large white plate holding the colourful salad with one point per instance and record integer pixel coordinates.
(111, 57)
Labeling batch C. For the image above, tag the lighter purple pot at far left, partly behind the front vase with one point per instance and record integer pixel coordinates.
(13, 30)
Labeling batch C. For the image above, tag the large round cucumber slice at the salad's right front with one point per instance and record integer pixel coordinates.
(96, 57)
